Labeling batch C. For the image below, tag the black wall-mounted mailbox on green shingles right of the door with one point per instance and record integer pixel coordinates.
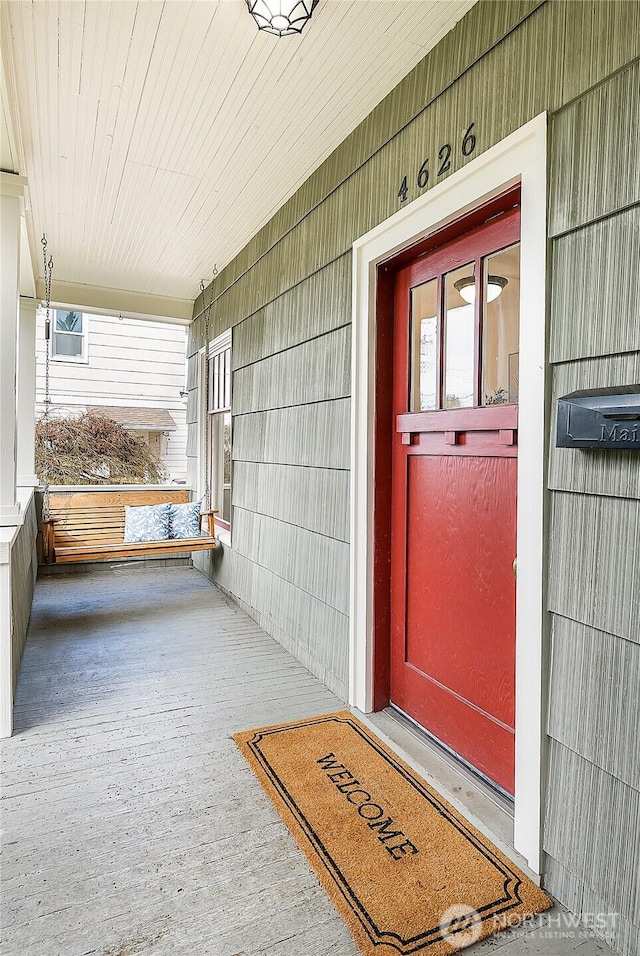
(608, 418)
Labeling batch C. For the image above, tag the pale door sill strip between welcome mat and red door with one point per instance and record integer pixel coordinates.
(479, 803)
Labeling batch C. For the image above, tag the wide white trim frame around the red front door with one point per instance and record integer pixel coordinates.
(522, 156)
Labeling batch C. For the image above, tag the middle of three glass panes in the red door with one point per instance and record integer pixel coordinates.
(459, 335)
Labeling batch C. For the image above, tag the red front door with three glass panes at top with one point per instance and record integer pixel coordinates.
(454, 470)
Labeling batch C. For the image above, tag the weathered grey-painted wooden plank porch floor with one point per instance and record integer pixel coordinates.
(131, 823)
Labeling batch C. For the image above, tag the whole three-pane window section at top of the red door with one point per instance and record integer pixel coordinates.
(464, 320)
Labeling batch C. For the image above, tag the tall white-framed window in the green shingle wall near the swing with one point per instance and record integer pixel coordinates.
(219, 423)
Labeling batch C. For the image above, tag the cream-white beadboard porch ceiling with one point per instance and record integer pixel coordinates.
(158, 137)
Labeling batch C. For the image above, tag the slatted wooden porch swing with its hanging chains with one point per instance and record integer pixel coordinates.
(89, 524)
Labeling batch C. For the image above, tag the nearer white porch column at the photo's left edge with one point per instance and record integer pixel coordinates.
(11, 192)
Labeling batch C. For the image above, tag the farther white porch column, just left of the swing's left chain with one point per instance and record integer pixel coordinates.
(26, 417)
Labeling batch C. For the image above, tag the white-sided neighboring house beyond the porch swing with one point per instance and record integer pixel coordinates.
(128, 369)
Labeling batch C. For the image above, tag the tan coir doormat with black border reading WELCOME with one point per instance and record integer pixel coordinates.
(406, 872)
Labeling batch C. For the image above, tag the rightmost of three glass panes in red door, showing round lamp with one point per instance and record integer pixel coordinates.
(501, 327)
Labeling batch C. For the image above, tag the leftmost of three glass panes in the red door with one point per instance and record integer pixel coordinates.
(424, 346)
